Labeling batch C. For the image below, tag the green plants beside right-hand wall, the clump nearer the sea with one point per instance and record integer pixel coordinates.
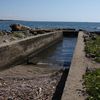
(92, 48)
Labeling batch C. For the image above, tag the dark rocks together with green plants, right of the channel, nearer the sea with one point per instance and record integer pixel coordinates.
(92, 46)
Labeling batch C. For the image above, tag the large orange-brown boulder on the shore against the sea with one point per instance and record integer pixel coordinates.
(18, 27)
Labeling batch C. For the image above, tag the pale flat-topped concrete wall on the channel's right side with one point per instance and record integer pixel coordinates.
(73, 86)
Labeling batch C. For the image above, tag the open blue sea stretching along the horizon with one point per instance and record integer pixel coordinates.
(89, 26)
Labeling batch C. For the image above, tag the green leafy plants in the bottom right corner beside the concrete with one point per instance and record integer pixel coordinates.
(92, 84)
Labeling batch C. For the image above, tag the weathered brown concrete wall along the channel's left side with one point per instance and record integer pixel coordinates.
(18, 51)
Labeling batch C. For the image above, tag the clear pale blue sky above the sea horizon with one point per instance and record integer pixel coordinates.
(51, 10)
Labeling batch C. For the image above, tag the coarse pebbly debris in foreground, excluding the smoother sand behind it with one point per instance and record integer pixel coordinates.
(38, 88)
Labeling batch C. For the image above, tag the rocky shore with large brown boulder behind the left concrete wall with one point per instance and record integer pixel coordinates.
(19, 32)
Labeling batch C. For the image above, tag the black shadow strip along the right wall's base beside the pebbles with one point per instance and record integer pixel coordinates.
(60, 87)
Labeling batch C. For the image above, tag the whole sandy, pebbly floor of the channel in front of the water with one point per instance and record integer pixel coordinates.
(28, 82)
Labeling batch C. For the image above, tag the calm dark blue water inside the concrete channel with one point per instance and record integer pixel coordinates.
(59, 54)
